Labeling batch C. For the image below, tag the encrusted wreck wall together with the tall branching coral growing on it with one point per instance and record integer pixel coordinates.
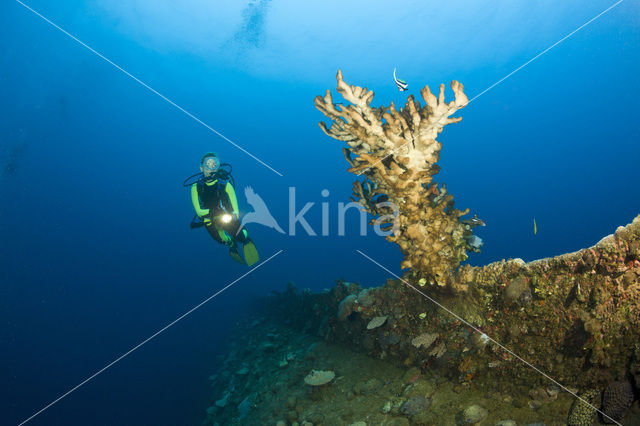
(575, 318)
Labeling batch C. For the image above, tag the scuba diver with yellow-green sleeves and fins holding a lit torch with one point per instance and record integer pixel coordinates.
(214, 200)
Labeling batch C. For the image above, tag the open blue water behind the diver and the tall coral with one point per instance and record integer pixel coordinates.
(96, 252)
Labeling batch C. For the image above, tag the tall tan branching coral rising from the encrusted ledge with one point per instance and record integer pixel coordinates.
(396, 151)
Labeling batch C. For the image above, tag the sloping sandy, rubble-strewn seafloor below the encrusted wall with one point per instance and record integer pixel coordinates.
(261, 381)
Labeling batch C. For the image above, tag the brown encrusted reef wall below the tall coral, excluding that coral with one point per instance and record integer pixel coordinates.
(575, 317)
